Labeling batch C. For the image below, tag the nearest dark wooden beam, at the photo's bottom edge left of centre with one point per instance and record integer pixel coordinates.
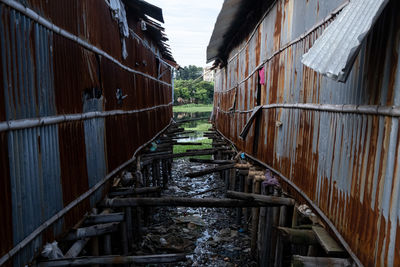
(150, 259)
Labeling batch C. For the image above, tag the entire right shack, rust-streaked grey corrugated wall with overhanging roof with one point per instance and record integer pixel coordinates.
(336, 145)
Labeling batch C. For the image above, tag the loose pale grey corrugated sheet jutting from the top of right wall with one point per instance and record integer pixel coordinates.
(334, 52)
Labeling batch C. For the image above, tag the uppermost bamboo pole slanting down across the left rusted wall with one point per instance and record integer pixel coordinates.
(42, 21)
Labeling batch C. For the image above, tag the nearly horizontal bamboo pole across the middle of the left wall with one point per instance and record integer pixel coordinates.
(30, 123)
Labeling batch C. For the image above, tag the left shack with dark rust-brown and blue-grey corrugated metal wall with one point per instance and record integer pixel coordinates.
(84, 84)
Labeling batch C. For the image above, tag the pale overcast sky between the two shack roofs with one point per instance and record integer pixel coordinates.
(189, 25)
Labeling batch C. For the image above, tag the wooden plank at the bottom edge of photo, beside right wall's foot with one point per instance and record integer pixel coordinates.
(303, 261)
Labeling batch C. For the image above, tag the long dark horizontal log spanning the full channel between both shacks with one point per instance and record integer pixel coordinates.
(190, 202)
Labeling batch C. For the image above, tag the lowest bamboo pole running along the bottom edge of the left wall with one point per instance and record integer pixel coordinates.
(75, 202)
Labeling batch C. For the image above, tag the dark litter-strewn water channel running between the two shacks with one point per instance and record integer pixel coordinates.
(209, 236)
